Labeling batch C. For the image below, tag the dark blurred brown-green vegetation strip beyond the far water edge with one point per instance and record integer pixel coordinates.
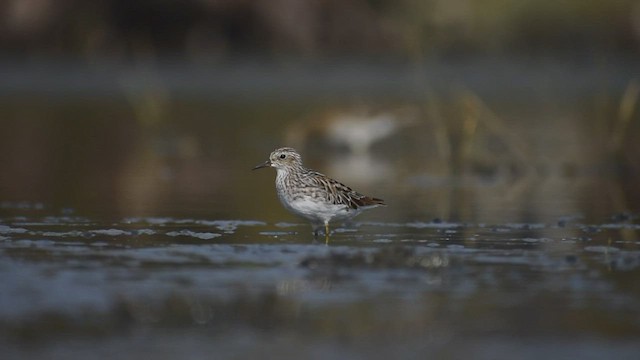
(219, 30)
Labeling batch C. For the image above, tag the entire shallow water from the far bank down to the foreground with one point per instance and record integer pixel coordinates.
(131, 224)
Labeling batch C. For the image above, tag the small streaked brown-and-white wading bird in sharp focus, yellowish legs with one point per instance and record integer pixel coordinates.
(312, 195)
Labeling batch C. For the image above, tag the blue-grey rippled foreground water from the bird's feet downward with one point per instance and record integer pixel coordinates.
(159, 287)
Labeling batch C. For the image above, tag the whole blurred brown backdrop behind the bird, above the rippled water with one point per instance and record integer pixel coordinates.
(126, 105)
